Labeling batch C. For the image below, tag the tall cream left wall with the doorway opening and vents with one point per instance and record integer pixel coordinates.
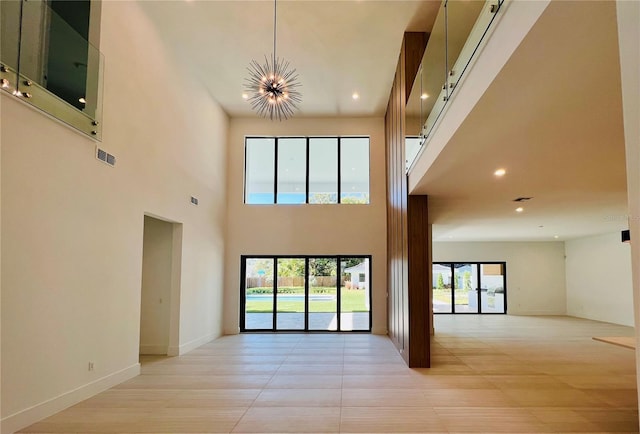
(72, 227)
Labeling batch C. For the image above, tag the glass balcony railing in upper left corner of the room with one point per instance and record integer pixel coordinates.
(48, 63)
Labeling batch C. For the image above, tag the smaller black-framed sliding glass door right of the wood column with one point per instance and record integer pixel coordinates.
(469, 287)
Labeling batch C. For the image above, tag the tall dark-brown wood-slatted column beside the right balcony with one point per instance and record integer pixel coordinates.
(408, 238)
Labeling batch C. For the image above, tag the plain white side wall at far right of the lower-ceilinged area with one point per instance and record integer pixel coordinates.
(599, 279)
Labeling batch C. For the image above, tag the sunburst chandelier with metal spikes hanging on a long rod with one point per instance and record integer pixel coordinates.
(273, 86)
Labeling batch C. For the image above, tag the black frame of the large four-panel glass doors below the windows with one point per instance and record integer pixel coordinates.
(338, 258)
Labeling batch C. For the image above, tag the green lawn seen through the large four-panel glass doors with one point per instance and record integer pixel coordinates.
(351, 301)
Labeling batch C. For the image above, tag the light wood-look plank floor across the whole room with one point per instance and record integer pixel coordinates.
(490, 374)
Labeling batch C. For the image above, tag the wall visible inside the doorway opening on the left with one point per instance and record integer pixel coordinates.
(155, 312)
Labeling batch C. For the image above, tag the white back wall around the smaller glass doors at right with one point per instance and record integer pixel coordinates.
(535, 271)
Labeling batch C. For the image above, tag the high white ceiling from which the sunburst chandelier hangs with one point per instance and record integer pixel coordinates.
(337, 47)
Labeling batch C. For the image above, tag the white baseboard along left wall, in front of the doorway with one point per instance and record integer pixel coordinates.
(31, 415)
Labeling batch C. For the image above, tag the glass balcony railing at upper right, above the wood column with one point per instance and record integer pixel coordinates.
(458, 30)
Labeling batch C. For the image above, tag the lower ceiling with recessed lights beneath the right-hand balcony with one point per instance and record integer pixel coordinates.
(553, 119)
